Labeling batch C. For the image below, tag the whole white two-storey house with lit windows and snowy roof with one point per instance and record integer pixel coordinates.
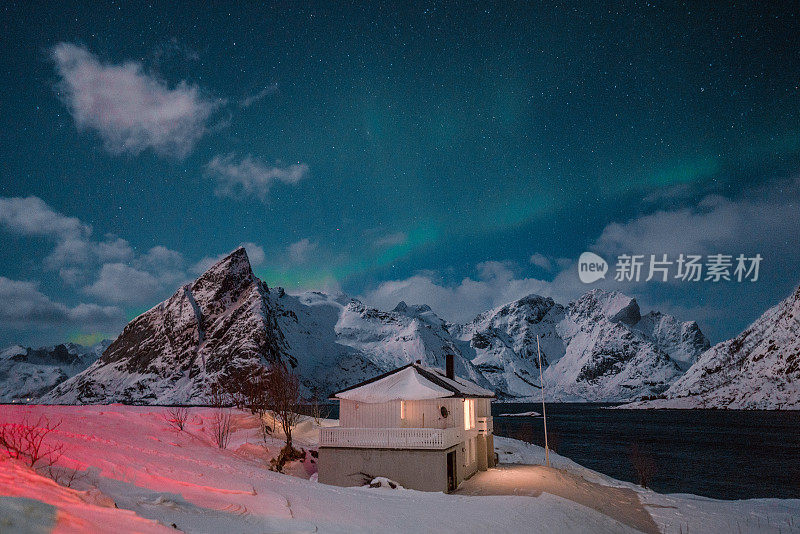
(423, 427)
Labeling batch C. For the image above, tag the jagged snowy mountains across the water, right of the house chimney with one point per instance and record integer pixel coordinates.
(597, 348)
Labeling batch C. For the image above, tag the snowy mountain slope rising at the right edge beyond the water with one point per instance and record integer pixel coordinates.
(758, 369)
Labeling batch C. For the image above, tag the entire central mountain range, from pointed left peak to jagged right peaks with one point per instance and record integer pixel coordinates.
(228, 323)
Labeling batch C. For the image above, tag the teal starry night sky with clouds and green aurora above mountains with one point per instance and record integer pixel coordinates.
(461, 155)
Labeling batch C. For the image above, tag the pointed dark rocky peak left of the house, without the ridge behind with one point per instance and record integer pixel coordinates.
(220, 327)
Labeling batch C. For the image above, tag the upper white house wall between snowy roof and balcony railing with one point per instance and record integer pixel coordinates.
(418, 414)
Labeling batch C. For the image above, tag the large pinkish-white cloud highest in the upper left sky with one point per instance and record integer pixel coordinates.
(130, 109)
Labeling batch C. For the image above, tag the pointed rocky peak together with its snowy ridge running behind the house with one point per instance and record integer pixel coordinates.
(228, 323)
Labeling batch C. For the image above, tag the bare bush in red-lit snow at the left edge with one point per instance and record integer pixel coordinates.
(30, 443)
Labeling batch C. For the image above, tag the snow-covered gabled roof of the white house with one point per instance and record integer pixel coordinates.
(412, 382)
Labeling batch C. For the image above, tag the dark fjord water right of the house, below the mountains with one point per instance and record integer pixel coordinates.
(717, 453)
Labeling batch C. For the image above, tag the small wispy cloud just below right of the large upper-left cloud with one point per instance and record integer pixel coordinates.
(249, 176)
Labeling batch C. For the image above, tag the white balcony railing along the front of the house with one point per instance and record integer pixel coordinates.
(390, 438)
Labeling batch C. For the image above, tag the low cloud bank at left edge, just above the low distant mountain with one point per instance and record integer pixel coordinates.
(22, 305)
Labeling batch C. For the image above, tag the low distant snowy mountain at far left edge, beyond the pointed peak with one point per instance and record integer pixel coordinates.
(29, 373)
